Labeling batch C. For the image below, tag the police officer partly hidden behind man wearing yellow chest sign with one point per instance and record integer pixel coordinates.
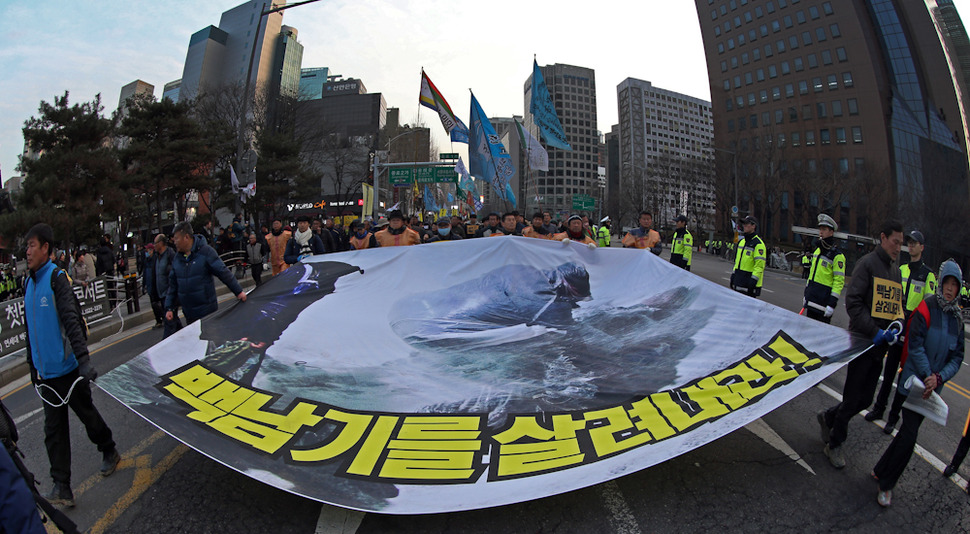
(918, 283)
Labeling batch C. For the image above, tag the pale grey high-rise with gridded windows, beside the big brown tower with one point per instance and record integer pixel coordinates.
(665, 154)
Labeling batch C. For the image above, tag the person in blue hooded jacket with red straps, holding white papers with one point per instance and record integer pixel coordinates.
(934, 354)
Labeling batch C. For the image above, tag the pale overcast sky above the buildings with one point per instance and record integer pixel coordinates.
(85, 47)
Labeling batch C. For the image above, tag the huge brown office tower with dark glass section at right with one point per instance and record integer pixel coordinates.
(847, 108)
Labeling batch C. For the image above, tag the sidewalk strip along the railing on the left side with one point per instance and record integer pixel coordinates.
(14, 366)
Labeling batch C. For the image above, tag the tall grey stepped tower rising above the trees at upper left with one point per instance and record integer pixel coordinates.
(220, 56)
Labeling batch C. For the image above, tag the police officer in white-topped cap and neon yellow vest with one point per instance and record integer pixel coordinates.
(826, 273)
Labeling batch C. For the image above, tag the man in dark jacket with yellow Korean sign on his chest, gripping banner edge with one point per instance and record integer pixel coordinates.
(873, 301)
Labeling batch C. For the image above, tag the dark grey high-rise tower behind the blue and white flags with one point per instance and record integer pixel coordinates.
(572, 173)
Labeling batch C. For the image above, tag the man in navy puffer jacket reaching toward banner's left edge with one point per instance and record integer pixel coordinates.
(190, 282)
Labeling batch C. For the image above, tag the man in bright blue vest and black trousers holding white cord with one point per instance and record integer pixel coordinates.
(60, 365)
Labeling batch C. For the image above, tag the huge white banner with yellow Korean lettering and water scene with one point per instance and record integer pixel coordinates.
(475, 373)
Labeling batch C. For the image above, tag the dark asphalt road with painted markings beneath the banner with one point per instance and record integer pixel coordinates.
(768, 477)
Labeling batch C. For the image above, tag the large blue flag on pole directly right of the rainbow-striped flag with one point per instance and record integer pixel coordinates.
(487, 156)
